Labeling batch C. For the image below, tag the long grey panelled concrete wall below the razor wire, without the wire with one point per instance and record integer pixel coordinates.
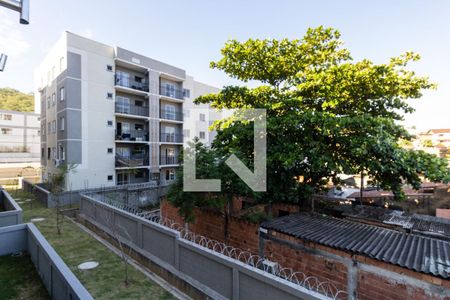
(216, 275)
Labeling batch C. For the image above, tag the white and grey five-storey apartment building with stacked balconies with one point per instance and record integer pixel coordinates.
(116, 115)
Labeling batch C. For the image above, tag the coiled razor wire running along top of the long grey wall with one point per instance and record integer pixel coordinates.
(312, 283)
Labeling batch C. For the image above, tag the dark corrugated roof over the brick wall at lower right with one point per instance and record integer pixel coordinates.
(415, 252)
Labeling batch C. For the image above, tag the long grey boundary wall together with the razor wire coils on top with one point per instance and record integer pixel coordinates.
(207, 264)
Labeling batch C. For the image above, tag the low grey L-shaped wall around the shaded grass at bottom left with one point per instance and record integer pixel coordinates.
(58, 279)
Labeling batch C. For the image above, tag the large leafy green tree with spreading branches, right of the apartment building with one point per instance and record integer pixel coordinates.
(326, 114)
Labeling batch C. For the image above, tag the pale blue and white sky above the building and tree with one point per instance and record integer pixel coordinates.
(190, 34)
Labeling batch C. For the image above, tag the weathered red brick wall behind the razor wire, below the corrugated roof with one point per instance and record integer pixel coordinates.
(325, 263)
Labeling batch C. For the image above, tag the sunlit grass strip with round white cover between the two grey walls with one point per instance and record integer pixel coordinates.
(76, 246)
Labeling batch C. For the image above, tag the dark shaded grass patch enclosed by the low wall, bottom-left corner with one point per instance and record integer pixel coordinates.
(25, 284)
